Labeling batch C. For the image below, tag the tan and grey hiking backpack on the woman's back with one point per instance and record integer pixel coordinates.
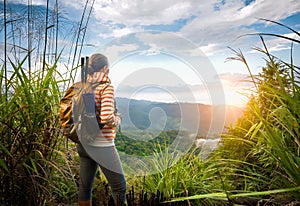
(81, 97)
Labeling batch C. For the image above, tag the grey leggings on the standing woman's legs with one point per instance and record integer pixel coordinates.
(108, 160)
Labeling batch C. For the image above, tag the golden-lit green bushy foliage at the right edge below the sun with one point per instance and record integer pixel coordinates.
(267, 135)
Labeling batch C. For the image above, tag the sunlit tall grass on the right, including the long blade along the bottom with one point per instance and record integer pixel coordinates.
(259, 158)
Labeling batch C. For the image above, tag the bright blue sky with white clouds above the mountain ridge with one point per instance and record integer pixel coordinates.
(178, 50)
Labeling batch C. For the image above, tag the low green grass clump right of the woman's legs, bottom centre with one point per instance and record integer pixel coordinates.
(182, 176)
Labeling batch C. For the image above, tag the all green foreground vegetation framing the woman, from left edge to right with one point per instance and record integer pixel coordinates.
(258, 160)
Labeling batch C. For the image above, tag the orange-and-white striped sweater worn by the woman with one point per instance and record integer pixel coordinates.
(105, 109)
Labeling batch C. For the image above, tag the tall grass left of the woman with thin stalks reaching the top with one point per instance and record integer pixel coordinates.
(35, 166)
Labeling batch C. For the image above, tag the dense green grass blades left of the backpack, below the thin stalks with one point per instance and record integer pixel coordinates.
(34, 168)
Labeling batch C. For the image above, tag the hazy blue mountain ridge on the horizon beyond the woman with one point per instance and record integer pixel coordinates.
(200, 118)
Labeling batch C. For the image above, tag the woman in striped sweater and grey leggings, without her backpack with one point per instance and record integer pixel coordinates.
(102, 150)
